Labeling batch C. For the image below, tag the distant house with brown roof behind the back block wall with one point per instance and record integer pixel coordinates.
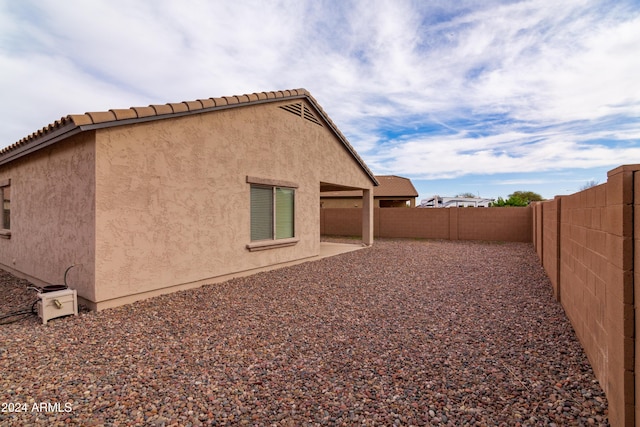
(393, 192)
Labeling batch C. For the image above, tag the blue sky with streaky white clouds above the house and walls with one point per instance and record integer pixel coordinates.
(487, 97)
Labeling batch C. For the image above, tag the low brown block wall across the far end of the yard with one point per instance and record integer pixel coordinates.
(502, 224)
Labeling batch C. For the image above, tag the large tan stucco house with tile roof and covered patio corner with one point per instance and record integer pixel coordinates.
(149, 200)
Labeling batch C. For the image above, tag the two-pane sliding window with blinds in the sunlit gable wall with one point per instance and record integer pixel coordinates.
(272, 212)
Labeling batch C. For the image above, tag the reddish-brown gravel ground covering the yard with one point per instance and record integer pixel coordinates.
(405, 333)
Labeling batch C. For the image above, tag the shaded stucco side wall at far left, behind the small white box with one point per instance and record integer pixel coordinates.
(52, 211)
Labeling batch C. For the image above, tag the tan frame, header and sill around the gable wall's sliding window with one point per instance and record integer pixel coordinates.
(273, 241)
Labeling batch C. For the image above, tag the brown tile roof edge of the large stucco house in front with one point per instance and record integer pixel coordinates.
(76, 123)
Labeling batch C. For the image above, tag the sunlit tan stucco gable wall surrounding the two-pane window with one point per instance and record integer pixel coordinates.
(173, 202)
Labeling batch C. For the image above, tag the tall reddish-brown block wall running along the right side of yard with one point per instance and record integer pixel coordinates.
(586, 244)
